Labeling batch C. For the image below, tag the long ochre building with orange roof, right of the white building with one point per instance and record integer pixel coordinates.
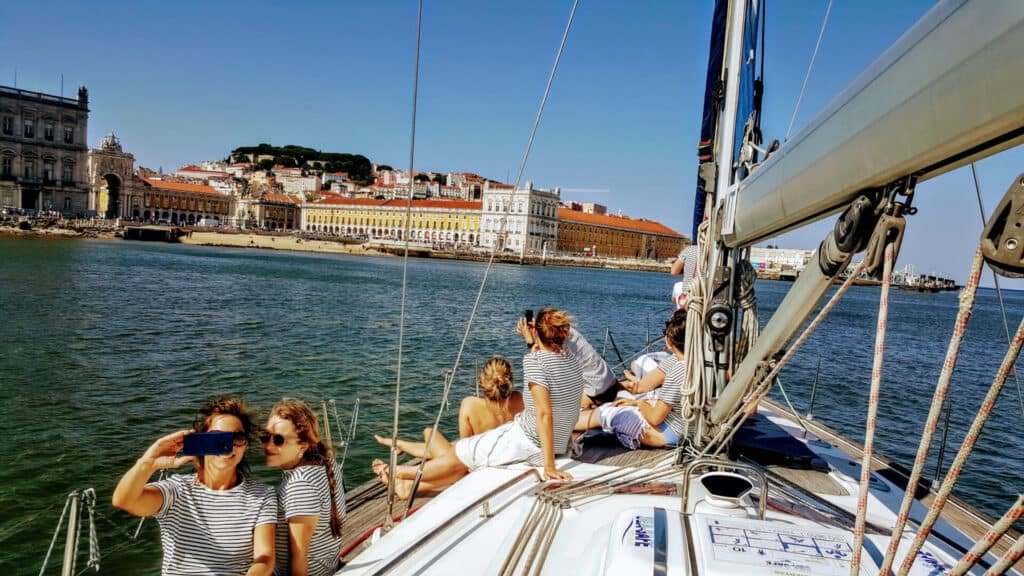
(605, 235)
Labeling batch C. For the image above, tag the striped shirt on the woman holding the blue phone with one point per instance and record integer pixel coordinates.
(206, 531)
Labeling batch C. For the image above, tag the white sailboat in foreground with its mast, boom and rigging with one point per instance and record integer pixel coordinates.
(756, 490)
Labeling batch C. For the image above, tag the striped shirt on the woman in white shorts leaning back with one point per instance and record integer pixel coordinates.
(560, 374)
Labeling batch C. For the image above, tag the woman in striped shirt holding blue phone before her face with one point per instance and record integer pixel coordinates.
(216, 521)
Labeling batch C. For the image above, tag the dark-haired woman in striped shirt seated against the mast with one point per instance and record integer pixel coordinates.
(663, 422)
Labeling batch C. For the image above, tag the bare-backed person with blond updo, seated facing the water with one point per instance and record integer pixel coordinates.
(477, 416)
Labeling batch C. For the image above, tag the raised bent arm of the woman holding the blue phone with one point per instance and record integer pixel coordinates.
(133, 496)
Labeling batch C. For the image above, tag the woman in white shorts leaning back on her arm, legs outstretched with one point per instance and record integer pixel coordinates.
(540, 432)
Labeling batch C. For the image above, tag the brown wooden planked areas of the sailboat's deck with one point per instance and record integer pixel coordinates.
(367, 505)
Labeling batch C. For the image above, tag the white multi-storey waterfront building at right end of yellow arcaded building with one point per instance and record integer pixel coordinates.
(524, 221)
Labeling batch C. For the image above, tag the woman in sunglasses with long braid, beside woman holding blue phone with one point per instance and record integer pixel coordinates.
(311, 502)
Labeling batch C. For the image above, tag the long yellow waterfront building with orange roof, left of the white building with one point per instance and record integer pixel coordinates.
(446, 222)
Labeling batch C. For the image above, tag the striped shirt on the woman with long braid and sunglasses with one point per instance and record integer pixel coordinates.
(306, 491)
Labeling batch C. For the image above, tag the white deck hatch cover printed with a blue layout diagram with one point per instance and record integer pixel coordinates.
(731, 546)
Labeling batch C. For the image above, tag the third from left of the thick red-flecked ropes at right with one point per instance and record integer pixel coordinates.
(969, 441)
